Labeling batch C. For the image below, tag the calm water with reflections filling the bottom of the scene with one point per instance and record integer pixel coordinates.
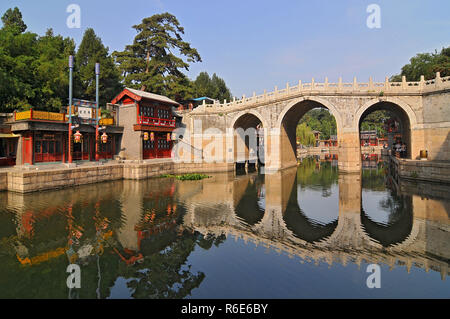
(307, 232)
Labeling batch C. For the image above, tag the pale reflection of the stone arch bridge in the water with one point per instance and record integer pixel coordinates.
(417, 233)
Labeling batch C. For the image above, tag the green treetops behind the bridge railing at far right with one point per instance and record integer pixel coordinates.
(426, 64)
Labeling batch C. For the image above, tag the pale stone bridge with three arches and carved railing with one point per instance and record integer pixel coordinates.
(423, 108)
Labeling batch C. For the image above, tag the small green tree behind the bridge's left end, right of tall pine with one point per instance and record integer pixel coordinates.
(213, 87)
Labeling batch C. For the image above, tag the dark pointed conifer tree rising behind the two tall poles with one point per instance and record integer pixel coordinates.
(93, 51)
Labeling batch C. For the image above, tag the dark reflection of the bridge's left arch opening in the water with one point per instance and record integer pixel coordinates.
(249, 207)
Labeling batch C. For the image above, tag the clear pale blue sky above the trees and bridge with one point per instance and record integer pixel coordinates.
(257, 45)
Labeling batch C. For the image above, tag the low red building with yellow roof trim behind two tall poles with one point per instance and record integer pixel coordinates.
(43, 137)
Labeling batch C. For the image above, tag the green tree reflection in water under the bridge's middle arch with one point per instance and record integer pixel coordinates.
(317, 175)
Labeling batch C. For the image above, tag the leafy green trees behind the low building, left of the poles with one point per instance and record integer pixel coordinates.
(33, 69)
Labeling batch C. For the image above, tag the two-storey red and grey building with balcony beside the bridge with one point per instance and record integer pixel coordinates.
(148, 120)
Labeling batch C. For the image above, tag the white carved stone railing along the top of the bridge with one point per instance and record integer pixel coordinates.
(354, 87)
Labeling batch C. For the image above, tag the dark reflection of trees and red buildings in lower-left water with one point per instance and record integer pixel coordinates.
(94, 227)
